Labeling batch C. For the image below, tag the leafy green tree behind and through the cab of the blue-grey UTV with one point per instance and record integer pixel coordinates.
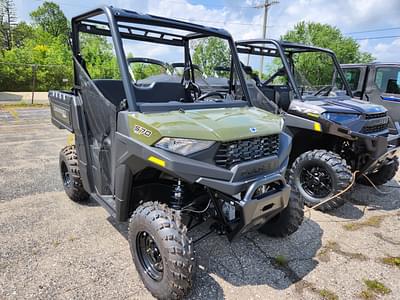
(318, 67)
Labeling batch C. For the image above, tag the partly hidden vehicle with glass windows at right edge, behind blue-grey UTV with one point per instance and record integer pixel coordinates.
(377, 83)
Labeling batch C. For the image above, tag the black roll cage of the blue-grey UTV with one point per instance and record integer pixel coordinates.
(285, 51)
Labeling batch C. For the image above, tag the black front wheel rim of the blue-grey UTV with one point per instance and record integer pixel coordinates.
(316, 181)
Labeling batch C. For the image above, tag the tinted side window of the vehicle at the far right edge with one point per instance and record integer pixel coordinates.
(387, 80)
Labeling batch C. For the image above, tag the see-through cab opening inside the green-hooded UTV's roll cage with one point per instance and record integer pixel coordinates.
(143, 68)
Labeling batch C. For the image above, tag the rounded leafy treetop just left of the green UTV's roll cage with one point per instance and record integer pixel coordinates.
(50, 18)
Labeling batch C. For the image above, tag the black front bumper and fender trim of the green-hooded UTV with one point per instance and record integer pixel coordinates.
(229, 185)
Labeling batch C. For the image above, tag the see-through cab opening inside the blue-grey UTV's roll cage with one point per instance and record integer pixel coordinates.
(308, 72)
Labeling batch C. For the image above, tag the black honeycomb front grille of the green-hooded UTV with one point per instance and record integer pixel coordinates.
(236, 152)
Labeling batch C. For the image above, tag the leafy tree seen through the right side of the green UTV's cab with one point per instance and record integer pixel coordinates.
(211, 52)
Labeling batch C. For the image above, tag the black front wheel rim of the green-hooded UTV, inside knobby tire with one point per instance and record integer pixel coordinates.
(149, 256)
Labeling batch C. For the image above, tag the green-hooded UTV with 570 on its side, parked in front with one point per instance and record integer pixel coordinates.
(165, 156)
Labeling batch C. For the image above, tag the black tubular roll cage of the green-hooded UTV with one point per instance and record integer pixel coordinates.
(112, 28)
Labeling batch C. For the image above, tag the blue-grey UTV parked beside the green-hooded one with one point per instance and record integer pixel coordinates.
(333, 134)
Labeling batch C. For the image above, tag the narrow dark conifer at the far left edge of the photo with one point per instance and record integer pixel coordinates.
(8, 18)
